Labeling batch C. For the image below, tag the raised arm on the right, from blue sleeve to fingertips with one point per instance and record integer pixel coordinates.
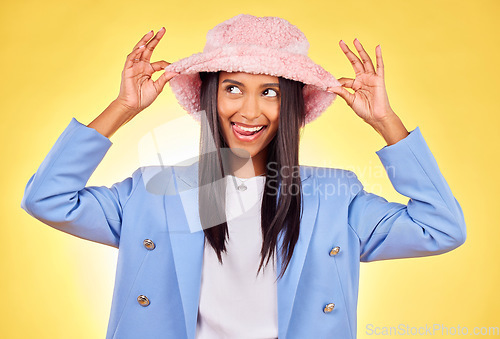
(432, 222)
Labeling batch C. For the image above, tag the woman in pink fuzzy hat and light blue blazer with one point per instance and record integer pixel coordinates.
(283, 241)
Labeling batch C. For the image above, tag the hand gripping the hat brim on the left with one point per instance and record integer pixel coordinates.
(137, 89)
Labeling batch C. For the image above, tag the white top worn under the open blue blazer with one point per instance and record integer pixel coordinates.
(234, 301)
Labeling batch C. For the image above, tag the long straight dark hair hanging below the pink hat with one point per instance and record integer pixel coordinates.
(280, 213)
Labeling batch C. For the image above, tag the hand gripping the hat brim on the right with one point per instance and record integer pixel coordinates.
(369, 100)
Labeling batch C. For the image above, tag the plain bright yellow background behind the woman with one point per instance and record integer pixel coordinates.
(63, 59)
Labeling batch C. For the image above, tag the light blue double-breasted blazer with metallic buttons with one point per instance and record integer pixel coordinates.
(166, 271)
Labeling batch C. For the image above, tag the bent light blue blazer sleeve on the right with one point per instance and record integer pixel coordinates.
(431, 223)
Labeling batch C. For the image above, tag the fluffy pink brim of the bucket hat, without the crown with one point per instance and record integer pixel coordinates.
(256, 60)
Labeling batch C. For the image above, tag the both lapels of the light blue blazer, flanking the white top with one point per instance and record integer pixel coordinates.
(187, 240)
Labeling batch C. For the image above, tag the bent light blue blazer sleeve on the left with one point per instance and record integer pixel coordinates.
(57, 196)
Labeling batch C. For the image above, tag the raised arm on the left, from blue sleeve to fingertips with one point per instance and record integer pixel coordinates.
(57, 194)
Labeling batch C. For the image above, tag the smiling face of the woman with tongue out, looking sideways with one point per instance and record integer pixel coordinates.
(249, 108)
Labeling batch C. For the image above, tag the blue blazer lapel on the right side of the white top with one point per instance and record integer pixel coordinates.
(287, 285)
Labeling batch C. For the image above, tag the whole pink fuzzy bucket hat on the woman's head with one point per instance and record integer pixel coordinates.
(258, 45)
